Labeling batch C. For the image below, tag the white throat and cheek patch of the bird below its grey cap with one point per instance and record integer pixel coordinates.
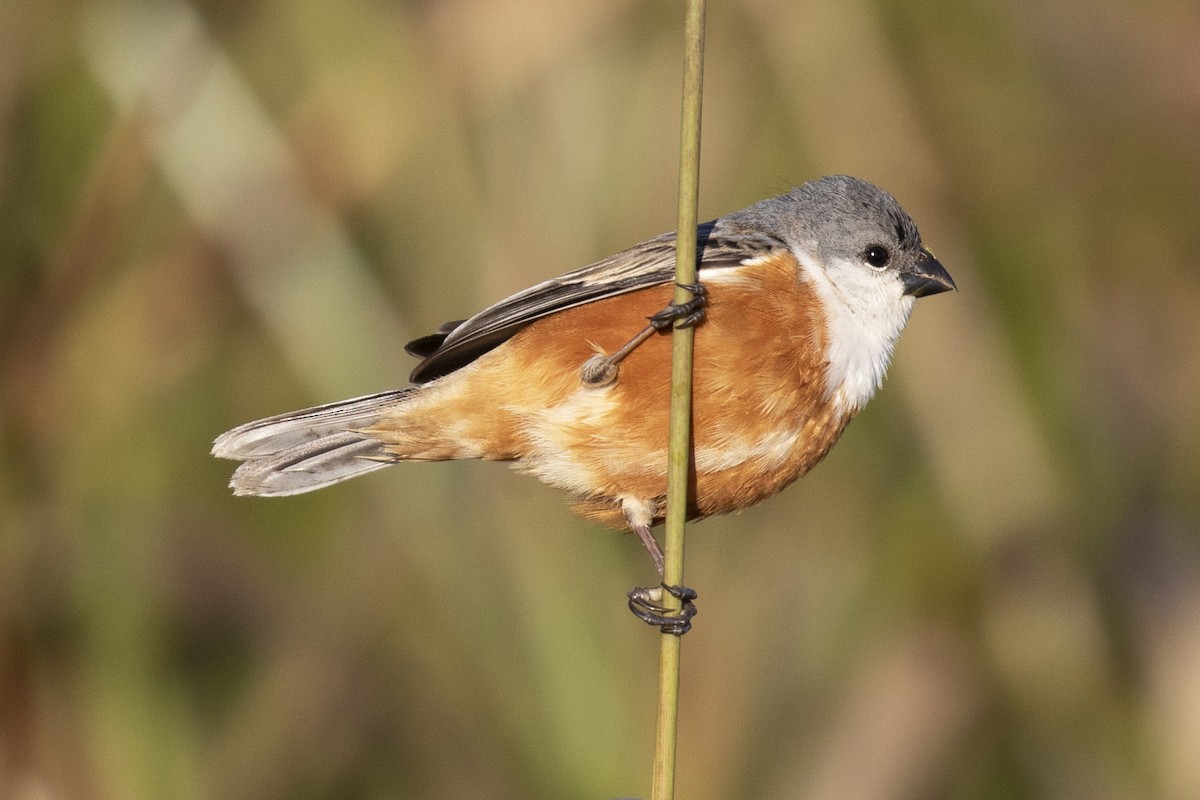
(866, 312)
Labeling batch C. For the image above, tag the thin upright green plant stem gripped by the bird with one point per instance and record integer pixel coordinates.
(680, 443)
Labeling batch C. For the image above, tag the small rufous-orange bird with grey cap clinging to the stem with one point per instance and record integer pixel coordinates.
(801, 300)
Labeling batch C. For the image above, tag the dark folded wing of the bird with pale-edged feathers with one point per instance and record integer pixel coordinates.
(650, 263)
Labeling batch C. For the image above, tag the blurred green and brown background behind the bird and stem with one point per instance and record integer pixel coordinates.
(215, 212)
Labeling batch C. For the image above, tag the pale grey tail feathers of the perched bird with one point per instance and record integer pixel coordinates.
(307, 450)
